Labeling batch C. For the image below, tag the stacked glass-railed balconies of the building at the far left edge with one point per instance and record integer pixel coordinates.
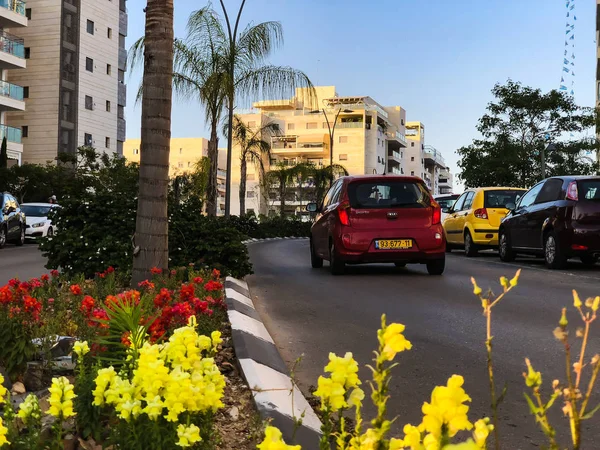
(13, 21)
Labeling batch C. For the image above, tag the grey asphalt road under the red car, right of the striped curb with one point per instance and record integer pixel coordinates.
(309, 312)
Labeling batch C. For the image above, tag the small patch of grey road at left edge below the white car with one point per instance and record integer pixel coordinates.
(22, 262)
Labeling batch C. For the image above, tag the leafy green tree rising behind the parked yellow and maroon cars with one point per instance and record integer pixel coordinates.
(517, 130)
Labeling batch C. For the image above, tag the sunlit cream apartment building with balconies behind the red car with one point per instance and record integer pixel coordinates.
(367, 138)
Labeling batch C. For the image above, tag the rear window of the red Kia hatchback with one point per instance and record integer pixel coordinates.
(388, 194)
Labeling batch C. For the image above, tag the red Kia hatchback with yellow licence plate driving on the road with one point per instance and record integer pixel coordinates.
(378, 219)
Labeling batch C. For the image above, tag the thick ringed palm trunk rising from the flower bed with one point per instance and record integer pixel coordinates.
(151, 235)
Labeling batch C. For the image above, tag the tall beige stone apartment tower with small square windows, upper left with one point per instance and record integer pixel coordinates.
(74, 83)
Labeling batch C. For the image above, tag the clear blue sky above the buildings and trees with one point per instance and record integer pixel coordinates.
(438, 59)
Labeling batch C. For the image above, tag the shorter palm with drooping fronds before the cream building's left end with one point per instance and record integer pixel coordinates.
(253, 148)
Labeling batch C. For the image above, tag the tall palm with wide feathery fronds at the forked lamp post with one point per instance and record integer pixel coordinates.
(243, 65)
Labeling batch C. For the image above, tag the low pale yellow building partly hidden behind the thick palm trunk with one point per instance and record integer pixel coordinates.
(185, 153)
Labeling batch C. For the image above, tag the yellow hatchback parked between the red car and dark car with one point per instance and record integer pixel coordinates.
(473, 220)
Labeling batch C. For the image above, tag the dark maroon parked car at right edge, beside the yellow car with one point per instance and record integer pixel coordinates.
(558, 218)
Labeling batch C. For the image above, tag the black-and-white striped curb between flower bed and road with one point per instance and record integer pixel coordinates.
(276, 396)
